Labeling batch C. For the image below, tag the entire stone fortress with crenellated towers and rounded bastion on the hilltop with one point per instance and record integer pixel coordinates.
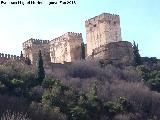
(103, 41)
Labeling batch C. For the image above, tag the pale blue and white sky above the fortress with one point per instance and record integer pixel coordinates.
(140, 21)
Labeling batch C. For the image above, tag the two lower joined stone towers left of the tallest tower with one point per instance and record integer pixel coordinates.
(65, 48)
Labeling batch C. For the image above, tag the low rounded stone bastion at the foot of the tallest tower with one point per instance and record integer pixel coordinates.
(121, 51)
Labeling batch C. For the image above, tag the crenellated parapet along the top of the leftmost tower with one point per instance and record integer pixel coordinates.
(35, 41)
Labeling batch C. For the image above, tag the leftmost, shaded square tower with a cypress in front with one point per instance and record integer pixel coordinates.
(31, 48)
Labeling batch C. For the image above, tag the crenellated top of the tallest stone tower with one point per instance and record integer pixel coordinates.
(102, 17)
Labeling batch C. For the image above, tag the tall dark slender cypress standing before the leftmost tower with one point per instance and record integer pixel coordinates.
(41, 71)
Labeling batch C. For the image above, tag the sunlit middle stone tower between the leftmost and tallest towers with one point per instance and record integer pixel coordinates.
(66, 48)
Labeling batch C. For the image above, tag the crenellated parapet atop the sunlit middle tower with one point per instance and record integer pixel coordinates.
(66, 36)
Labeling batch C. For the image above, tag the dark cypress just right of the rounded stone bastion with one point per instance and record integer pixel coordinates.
(137, 57)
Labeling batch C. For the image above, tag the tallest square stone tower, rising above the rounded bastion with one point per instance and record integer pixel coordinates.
(102, 29)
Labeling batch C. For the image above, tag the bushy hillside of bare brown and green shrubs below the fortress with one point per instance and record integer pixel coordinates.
(83, 90)
